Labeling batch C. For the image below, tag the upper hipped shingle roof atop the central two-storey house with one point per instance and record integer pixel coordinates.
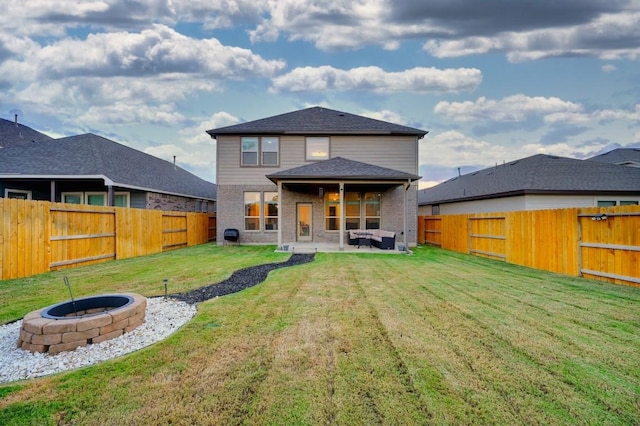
(317, 120)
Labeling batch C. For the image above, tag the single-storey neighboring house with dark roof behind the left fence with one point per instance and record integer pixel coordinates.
(89, 169)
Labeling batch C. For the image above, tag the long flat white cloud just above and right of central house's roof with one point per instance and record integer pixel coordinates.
(516, 108)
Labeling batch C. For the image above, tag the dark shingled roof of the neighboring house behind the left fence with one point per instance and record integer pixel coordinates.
(89, 156)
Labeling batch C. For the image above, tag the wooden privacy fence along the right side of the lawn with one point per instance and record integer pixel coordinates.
(597, 242)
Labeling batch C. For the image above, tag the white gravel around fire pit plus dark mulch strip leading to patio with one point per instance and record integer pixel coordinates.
(163, 317)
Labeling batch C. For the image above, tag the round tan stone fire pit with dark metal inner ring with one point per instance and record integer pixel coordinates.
(69, 325)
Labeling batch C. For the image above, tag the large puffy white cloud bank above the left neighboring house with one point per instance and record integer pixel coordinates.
(158, 50)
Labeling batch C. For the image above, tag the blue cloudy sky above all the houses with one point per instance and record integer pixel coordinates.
(491, 81)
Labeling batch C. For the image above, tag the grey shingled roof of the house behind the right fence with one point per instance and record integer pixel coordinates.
(538, 174)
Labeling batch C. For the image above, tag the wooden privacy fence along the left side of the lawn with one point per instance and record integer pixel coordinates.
(39, 236)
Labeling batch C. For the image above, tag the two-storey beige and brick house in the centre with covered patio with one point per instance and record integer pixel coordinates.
(312, 174)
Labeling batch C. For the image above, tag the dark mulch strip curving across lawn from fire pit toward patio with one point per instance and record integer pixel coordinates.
(240, 279)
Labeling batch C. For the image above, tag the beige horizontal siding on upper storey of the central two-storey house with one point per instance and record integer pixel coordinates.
(394, 152)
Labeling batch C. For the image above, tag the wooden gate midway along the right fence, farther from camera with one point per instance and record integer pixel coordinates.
(487, 236)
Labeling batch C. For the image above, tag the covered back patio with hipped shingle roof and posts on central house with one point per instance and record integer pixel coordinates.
(320, 202)
